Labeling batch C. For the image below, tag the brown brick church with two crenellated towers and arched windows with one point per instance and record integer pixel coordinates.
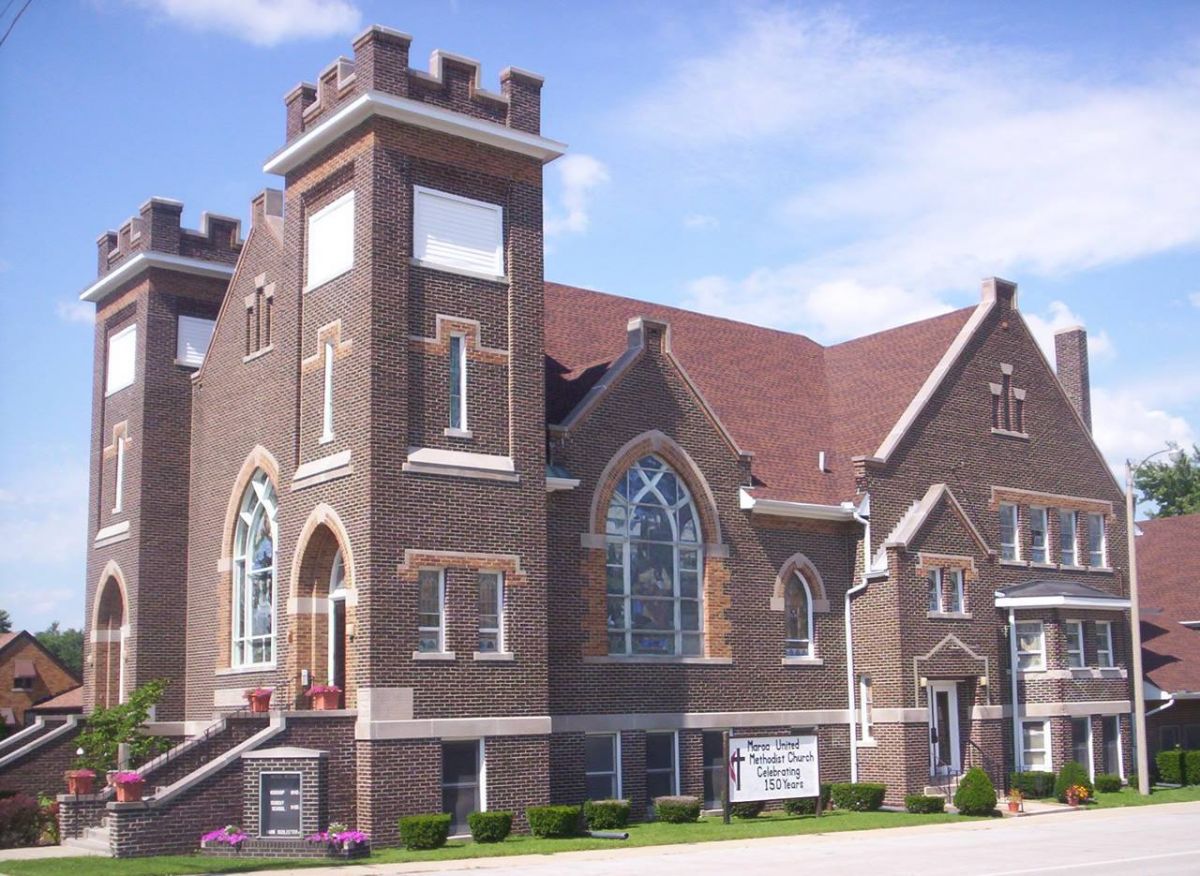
(550, 543)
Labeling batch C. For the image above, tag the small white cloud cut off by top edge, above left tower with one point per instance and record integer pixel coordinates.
(262, 22)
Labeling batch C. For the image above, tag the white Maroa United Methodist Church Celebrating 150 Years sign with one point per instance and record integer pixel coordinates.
(773, 767)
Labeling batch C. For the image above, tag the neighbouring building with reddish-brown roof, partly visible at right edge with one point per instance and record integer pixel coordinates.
(1169, 593)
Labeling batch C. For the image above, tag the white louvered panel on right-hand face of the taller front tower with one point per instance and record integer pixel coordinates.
(458, 233)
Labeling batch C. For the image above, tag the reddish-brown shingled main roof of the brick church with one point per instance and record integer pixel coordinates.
(783, 397)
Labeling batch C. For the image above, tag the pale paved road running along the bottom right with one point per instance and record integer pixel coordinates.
(1156, 841)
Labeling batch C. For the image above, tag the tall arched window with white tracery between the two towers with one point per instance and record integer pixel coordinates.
(254, 573)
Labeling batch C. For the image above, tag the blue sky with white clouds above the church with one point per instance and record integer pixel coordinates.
(827, 170)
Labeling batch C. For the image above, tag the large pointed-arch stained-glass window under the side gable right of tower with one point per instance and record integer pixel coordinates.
(655, 567)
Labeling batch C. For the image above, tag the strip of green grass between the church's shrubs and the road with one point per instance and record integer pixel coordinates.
(652, 835)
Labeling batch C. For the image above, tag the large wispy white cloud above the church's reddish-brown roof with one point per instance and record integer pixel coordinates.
(944, 164)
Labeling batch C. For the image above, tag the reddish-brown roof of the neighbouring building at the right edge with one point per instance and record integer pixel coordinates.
(1169, 592)
